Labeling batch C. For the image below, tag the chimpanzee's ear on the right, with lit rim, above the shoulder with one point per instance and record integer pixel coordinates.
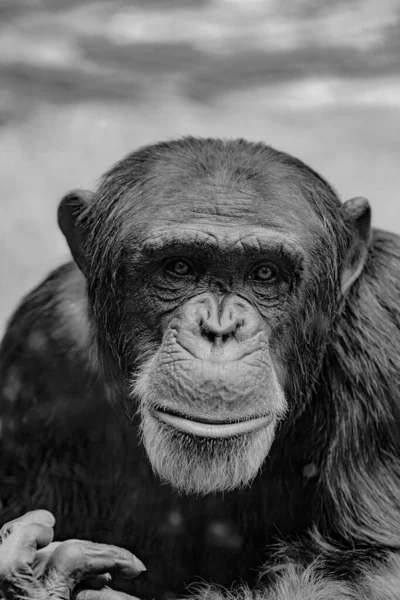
(359, 211)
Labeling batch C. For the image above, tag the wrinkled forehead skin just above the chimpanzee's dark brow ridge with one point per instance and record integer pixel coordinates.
(218, 201)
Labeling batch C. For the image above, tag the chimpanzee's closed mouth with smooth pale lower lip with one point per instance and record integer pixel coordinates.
(208, 428)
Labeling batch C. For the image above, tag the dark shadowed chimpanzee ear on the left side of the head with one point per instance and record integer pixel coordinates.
(70, 209)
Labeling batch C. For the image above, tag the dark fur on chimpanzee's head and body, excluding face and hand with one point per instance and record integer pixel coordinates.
(331, 485)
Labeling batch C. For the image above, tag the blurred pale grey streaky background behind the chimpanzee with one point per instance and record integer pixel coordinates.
(84, 82)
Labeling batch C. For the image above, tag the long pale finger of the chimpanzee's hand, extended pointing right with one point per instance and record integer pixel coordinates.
(79, 559)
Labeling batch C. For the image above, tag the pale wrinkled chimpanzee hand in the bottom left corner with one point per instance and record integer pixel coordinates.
(33, 568)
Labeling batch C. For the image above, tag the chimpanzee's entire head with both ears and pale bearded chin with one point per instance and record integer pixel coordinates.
(214, 272)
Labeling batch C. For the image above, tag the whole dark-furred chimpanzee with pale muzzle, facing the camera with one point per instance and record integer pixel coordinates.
(213, 385)
